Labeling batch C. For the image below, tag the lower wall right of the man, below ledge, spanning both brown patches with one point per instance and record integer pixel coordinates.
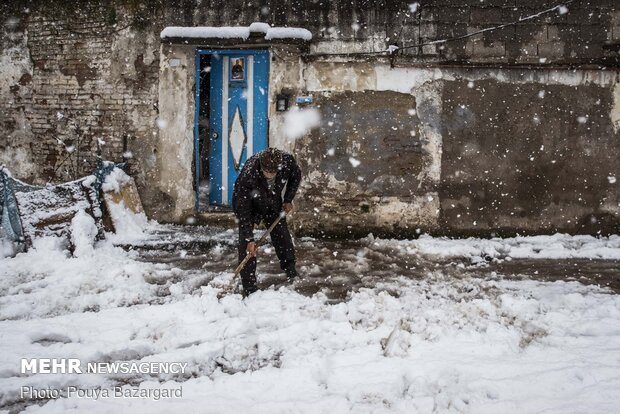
(461, 151)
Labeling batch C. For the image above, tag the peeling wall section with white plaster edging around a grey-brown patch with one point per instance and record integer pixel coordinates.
(388, 120)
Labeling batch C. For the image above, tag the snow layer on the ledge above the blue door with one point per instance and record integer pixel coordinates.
(238, 32)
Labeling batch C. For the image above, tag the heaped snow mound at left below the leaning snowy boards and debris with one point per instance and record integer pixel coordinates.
(47, 281)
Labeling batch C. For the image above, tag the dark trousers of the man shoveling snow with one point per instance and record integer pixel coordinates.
(282, 242)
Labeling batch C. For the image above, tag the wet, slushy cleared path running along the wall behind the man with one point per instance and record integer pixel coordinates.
(337, 268)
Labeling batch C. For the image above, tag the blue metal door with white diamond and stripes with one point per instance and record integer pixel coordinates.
(238, 123)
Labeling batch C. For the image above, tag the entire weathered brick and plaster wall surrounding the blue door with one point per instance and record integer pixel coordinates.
(513, 130)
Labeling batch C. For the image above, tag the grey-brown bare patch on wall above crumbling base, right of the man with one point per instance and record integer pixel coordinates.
(378, 129)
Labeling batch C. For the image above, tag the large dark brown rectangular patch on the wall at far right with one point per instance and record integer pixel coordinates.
(530, 156)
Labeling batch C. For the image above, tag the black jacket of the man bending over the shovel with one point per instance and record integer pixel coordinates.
(252, 199)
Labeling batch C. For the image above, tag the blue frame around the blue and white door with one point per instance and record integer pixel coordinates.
(197, 149)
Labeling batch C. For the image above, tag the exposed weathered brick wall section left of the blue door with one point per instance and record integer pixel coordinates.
(88, 91)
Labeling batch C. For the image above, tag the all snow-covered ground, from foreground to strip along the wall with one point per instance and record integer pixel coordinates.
(439, 343)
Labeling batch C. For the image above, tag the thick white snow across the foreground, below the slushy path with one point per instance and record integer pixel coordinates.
(459, 346)
